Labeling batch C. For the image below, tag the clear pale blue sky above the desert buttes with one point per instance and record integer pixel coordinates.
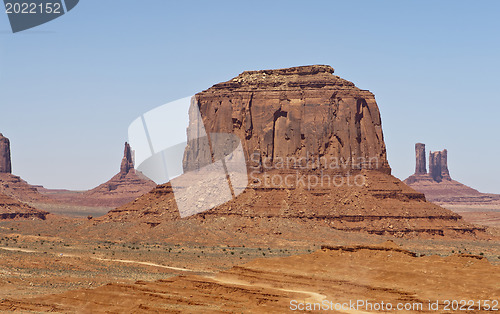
(70, 88)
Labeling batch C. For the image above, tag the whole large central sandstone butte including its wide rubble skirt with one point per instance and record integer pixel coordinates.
(295, 112)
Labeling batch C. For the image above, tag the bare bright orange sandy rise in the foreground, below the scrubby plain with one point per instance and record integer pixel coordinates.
(374, 274)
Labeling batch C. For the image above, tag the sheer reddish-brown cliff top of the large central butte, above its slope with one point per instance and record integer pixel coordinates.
(305, 113)
